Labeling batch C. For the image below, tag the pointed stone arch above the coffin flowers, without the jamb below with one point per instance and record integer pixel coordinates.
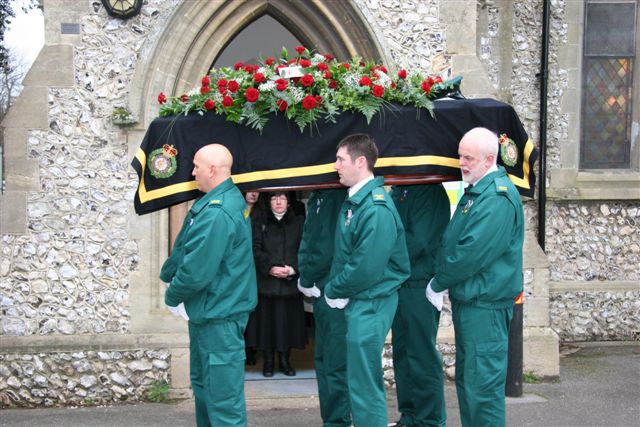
(199, 30)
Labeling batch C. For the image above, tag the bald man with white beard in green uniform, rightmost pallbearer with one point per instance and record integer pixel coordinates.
(480, 263)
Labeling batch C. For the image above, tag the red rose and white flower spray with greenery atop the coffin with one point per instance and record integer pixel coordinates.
(306, 88)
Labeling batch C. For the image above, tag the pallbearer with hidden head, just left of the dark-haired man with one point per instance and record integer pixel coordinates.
(314, 262)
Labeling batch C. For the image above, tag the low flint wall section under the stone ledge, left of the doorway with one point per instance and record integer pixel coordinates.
(80, 378)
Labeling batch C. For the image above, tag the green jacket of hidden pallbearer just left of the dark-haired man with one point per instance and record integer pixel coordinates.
(318, 237)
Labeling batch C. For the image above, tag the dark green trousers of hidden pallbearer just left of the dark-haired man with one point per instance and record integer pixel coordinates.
(331, 364)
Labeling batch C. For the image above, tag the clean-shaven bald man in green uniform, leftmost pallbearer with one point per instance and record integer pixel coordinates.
(209, 271)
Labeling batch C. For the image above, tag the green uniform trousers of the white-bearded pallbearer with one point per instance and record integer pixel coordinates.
(482, 344)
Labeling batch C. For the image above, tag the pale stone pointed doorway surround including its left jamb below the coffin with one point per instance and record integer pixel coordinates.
(188, 44)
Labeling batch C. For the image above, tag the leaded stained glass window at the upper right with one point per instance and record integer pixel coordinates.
(608, 66)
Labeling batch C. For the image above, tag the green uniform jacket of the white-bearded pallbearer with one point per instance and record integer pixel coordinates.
(480, 256)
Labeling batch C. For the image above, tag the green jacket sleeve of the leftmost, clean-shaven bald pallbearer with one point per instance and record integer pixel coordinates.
(204, 249)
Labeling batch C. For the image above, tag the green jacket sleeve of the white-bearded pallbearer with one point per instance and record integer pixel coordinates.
(479, 244)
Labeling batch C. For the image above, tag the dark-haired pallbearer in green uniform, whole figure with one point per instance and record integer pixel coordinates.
(370, 262)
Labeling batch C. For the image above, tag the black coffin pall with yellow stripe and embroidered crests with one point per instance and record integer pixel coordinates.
(413, 145)
